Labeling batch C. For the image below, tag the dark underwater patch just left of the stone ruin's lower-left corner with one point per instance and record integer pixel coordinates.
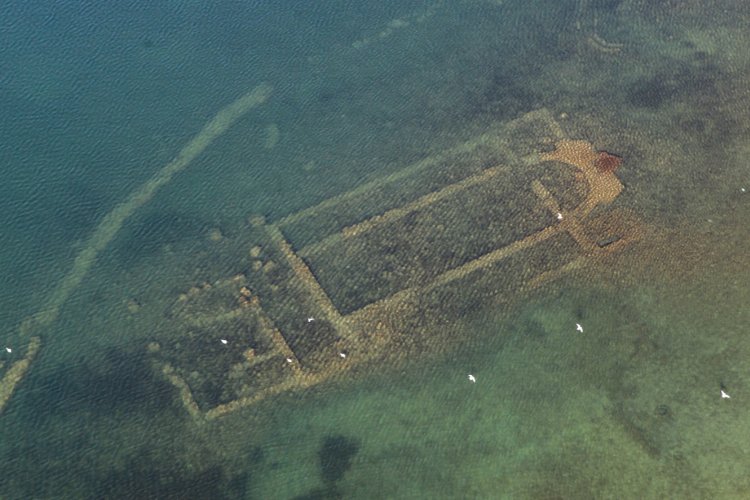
(118, 380)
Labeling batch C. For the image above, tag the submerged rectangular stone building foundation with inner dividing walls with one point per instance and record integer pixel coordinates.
(347, 280)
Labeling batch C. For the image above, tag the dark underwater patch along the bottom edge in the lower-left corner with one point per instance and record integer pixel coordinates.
(43, 467)
